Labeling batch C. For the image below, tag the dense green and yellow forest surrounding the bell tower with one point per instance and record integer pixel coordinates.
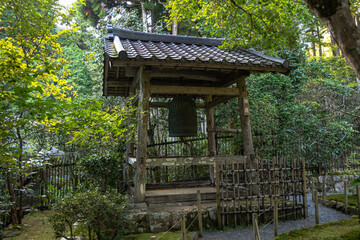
(51, 62)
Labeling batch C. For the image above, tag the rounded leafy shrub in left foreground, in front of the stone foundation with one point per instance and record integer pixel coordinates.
(98, 215)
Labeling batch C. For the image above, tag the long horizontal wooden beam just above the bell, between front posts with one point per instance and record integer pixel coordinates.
(162, 89)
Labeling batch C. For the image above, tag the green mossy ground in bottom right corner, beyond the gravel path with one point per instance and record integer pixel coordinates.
(345, 229)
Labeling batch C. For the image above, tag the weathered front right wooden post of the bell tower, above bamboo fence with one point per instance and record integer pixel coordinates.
(243, 102)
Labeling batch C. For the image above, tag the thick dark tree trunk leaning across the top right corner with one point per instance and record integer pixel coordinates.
(337, 17)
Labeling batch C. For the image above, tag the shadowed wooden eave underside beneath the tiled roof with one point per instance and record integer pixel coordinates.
(170, 79)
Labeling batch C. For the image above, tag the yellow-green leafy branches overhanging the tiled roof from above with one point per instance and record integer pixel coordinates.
(267, 25)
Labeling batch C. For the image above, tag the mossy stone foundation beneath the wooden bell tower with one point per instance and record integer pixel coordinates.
(162, 217)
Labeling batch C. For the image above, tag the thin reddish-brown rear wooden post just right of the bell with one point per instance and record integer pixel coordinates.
(210, 122)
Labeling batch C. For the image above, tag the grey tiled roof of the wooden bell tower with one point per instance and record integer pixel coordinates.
(138, 46)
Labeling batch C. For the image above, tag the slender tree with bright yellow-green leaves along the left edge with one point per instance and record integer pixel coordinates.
(33, 85)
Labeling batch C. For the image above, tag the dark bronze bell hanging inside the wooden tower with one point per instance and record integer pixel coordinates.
(182, 117)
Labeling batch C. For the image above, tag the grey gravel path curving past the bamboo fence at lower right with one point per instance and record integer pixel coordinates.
(267, 233)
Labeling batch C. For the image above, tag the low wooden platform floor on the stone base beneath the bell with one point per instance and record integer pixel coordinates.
(179, 194)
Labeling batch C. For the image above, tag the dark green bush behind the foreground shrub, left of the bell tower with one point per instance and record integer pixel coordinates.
(102, 170)
